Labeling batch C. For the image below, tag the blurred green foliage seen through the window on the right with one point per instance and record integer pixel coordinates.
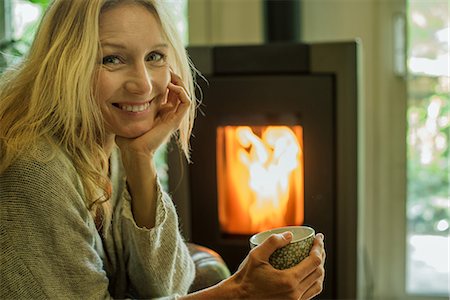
(428, 119)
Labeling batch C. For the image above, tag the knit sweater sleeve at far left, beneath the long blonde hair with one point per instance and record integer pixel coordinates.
(47, 237)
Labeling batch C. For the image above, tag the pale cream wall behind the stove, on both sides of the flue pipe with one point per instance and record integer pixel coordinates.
(382, 114)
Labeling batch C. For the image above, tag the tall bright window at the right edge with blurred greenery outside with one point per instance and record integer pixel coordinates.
(428, 202)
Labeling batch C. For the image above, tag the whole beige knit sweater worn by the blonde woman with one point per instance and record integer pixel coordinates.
(50, 247)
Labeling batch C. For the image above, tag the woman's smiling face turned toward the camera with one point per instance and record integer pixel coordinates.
(133, 73)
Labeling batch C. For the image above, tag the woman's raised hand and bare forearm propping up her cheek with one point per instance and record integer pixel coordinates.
(137, 153)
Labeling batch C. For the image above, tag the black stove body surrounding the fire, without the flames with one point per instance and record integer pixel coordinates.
(315, 86)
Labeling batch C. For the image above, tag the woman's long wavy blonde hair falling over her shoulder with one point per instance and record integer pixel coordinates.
(51, 95)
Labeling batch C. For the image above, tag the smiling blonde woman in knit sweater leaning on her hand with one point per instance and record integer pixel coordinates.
(82, 214)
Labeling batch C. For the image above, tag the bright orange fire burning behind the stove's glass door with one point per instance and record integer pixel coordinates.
(260, 174)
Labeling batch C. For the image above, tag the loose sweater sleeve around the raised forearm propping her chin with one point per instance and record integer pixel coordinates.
(157, 260)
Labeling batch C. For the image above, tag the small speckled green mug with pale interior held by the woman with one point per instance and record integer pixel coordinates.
(291, 254)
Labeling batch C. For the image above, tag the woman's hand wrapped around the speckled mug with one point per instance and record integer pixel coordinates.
(258, 279)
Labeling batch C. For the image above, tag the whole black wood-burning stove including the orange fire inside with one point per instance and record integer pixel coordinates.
(276, 145)
